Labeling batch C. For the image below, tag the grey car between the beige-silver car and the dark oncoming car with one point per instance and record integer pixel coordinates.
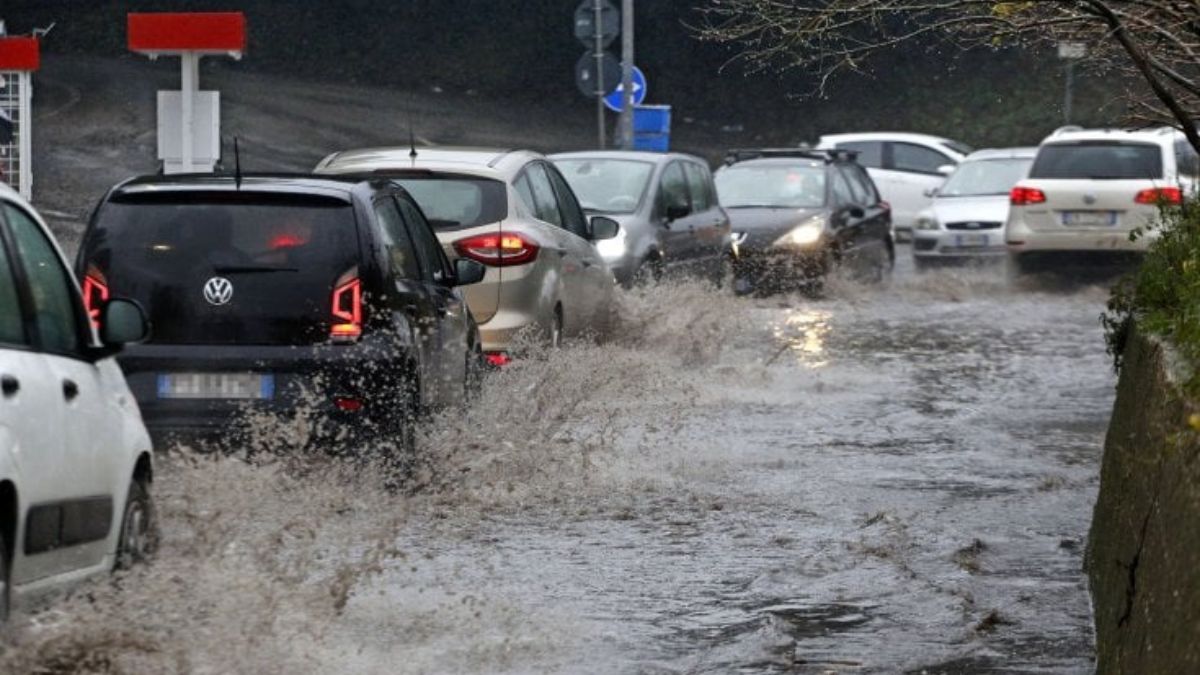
(667, 206)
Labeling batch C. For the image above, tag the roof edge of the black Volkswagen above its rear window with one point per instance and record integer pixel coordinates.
(284, 184)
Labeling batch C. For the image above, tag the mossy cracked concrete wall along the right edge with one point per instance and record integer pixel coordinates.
(1144, 549)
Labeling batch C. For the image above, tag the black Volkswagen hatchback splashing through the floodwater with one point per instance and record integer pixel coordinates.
(323, 300)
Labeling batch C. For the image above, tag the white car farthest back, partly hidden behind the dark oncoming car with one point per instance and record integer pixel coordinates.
(905, 168)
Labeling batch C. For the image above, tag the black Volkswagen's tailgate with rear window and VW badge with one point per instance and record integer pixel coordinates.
(280, 256)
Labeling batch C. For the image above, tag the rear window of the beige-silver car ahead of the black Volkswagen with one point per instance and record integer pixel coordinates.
(458, 202)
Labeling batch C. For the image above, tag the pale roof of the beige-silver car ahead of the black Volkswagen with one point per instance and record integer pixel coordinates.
(478, 162)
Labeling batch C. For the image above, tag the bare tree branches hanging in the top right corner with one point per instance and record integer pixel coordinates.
(1156, 43)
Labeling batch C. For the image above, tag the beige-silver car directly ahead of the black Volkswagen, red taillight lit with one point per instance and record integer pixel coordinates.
(513, 212)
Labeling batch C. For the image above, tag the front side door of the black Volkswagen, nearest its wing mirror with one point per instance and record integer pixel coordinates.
(452, 315)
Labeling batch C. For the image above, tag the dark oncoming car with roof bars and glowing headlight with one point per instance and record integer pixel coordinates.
(796, 214)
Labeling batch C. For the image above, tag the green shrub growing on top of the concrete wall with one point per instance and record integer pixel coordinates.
(1163, 296)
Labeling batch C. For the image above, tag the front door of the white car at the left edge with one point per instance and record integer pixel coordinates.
(71, 465)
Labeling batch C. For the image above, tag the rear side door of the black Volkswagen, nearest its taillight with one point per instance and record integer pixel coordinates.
(411, 297)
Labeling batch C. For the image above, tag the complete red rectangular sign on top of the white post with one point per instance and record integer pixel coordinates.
(188, 32)
